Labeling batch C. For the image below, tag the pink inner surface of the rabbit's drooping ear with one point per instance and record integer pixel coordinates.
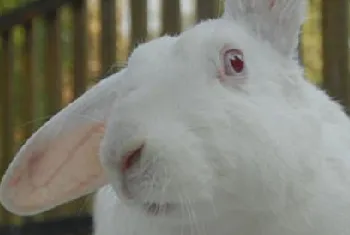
(66, 169)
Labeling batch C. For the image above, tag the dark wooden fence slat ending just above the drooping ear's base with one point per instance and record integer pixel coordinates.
(109, 34)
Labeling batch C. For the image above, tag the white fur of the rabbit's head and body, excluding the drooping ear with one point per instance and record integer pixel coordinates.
(266, 155)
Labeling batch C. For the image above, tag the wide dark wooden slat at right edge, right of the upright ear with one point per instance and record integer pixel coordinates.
(335, 49)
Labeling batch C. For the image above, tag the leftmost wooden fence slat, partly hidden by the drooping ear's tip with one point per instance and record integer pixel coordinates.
(6, 97)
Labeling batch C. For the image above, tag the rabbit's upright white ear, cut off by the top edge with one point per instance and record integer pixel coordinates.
(277, 21)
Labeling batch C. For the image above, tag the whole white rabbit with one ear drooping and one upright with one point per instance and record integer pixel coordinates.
(212, 132)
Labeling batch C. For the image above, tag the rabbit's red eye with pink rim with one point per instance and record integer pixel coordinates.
(233, 62)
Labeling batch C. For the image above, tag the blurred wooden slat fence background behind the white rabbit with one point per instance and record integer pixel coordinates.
(51, 51)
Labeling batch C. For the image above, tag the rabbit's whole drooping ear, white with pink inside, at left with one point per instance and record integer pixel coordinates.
(60, 161)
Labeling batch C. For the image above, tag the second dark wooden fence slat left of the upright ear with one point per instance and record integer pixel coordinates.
(171, 17)
